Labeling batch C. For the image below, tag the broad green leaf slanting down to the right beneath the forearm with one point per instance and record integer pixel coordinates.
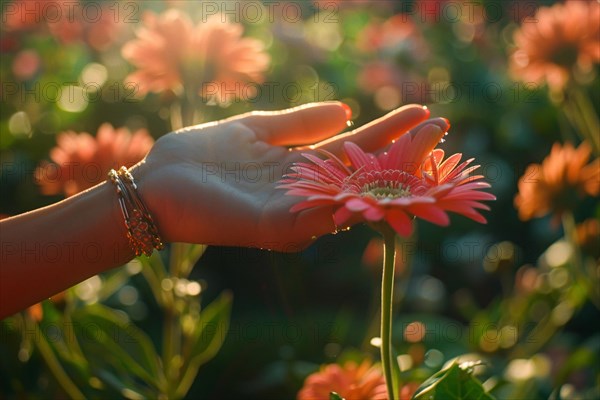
(115, 344)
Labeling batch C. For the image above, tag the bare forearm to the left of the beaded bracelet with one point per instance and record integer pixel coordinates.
(50, 249)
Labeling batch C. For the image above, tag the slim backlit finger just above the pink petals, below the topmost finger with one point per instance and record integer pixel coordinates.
(378, 133)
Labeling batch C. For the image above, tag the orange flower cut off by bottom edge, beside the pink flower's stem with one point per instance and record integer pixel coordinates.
(352, 382)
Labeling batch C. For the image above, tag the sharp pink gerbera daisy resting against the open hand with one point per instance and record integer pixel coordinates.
(410, 180)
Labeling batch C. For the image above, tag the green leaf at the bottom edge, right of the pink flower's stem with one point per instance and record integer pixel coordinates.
(452, 383)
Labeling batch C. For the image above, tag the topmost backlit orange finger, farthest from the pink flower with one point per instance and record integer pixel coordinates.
(309, 123)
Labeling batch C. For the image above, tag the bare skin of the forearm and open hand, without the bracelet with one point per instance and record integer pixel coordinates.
(213, 183)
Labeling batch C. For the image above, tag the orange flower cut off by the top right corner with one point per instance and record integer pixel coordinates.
(565, 36)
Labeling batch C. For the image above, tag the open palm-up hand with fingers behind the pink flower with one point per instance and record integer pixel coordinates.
(215, 183)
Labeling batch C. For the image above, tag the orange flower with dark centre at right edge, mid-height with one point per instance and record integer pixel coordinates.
(557, 184)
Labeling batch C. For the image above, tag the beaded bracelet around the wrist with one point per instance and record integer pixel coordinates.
(142, 233)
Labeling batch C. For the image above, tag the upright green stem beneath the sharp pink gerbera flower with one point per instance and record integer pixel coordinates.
(387, 296)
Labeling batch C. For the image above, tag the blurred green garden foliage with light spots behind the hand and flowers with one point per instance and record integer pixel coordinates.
(521, 296)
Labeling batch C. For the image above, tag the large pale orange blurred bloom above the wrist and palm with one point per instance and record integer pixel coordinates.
(211, 58)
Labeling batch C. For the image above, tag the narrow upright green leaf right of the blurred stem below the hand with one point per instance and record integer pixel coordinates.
(207, 340)
